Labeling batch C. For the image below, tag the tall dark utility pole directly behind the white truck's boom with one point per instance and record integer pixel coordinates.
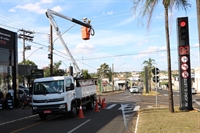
(51, 50)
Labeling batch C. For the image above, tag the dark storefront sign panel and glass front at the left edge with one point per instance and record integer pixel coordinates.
(8, 61)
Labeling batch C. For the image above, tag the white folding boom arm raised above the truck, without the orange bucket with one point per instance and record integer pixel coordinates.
(49, 14)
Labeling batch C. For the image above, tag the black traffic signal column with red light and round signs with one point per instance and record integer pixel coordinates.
(184, 64)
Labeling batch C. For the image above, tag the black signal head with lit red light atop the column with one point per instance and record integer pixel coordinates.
(183, 32)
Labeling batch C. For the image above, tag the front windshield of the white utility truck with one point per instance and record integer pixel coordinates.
(48, 87)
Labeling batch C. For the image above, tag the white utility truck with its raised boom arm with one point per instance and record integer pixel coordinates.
(63, 94)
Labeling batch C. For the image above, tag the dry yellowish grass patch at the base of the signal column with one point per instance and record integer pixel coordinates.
(160, 120)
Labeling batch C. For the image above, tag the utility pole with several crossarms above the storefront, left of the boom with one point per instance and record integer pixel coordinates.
(26, 36)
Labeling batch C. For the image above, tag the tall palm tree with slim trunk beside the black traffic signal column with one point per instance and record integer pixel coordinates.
(147, 9)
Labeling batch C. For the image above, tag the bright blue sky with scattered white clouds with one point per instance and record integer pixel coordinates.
(121, 37)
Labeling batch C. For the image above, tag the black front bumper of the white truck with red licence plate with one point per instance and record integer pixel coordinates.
(50, 109)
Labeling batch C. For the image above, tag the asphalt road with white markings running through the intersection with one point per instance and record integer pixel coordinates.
(116, 118)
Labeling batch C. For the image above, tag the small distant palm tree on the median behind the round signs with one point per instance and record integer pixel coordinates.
(149, 63)
